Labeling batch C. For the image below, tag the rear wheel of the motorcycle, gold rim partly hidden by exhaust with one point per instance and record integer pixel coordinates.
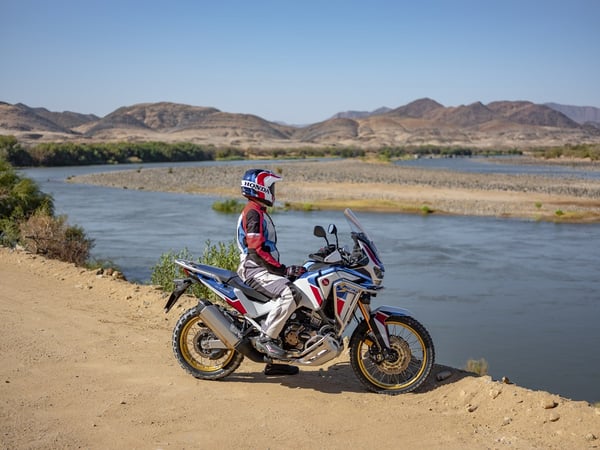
(191, 338)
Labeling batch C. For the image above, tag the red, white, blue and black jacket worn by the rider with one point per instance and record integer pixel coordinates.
(256, 238)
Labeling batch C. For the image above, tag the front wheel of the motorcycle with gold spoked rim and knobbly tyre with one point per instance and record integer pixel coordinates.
(403, 369)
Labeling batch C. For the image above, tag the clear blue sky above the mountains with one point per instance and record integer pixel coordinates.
(297, 61)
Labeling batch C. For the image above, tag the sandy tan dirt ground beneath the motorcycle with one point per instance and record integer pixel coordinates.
(87, 363)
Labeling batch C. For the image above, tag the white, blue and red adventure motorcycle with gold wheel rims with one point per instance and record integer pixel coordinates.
(390, 351)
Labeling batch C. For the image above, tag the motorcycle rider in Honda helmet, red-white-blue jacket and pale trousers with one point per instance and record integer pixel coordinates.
(259, 263)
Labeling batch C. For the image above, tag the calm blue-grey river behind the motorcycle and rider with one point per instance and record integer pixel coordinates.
(521, 294)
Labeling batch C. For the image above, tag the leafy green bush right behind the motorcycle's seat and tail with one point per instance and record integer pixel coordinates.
(223, 255)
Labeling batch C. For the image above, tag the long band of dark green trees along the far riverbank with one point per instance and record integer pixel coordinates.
(86, 153)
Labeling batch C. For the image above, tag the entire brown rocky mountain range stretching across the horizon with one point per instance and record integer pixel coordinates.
(500, 124)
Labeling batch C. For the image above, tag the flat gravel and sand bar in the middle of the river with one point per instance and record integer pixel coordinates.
(383, 187)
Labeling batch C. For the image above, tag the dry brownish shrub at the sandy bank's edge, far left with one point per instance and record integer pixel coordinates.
(51, 236)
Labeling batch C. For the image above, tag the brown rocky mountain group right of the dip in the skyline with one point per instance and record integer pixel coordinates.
(427, 122)
